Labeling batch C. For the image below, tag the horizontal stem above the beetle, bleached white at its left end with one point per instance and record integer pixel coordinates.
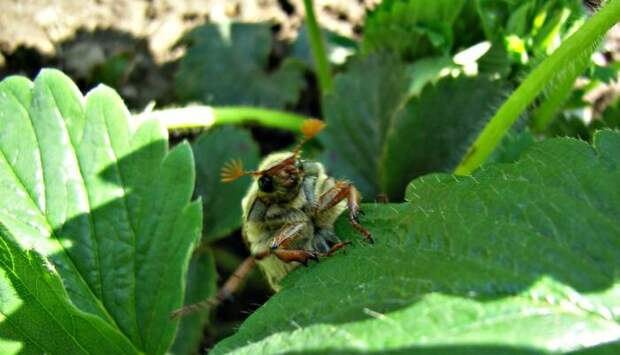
(206, 116)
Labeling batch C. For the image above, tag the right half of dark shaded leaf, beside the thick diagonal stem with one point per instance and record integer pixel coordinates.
(431, 132)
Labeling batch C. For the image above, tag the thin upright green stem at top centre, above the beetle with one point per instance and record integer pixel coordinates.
(318, 49)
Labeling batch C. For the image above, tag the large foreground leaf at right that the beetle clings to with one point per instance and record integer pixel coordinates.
(518, 257)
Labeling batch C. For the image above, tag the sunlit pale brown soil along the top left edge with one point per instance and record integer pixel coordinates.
(43, 24)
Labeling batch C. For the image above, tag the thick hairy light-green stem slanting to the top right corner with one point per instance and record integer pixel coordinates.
(561, 63)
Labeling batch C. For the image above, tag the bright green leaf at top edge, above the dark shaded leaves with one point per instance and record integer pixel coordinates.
(411, 28)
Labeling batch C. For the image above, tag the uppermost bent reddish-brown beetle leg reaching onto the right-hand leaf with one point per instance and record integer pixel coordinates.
(333, 196)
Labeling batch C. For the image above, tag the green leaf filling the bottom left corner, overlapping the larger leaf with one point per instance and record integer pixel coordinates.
(35, 306)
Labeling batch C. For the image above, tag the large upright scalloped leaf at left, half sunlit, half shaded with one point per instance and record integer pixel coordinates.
(105, 202)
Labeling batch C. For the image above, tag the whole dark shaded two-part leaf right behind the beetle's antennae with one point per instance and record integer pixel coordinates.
(381, 135)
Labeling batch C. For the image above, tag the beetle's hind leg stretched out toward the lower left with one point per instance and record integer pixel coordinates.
(230, 287)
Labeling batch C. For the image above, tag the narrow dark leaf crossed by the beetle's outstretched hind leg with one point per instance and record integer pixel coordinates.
(200, 286)
